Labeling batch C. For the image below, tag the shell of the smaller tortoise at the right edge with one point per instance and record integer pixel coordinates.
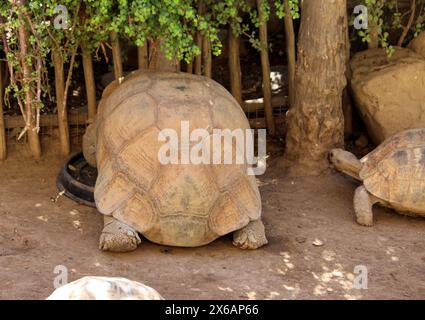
(395, 171)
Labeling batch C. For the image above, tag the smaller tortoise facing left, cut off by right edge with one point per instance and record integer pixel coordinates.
(393, 175)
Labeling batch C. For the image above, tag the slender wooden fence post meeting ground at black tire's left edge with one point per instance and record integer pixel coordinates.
(60, 102)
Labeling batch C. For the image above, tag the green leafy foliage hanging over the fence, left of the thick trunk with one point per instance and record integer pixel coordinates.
(172, 23)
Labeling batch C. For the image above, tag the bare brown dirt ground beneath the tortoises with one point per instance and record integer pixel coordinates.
(37, 234)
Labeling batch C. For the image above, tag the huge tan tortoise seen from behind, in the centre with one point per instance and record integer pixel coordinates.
(183, 205)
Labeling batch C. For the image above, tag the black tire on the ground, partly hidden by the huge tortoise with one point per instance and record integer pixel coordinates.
(74, 189)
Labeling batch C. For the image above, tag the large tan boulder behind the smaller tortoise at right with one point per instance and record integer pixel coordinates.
(389, 91)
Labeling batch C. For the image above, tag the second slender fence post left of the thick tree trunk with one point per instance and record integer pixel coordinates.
(265, 65)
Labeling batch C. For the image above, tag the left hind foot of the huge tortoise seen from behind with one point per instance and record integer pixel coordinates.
(117, 236)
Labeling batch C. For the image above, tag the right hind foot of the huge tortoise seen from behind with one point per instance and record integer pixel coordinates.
(251, 236)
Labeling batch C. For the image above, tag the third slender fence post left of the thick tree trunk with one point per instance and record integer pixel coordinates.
(235, 67)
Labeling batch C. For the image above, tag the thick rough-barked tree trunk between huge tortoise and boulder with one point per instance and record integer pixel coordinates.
(315, 123)
